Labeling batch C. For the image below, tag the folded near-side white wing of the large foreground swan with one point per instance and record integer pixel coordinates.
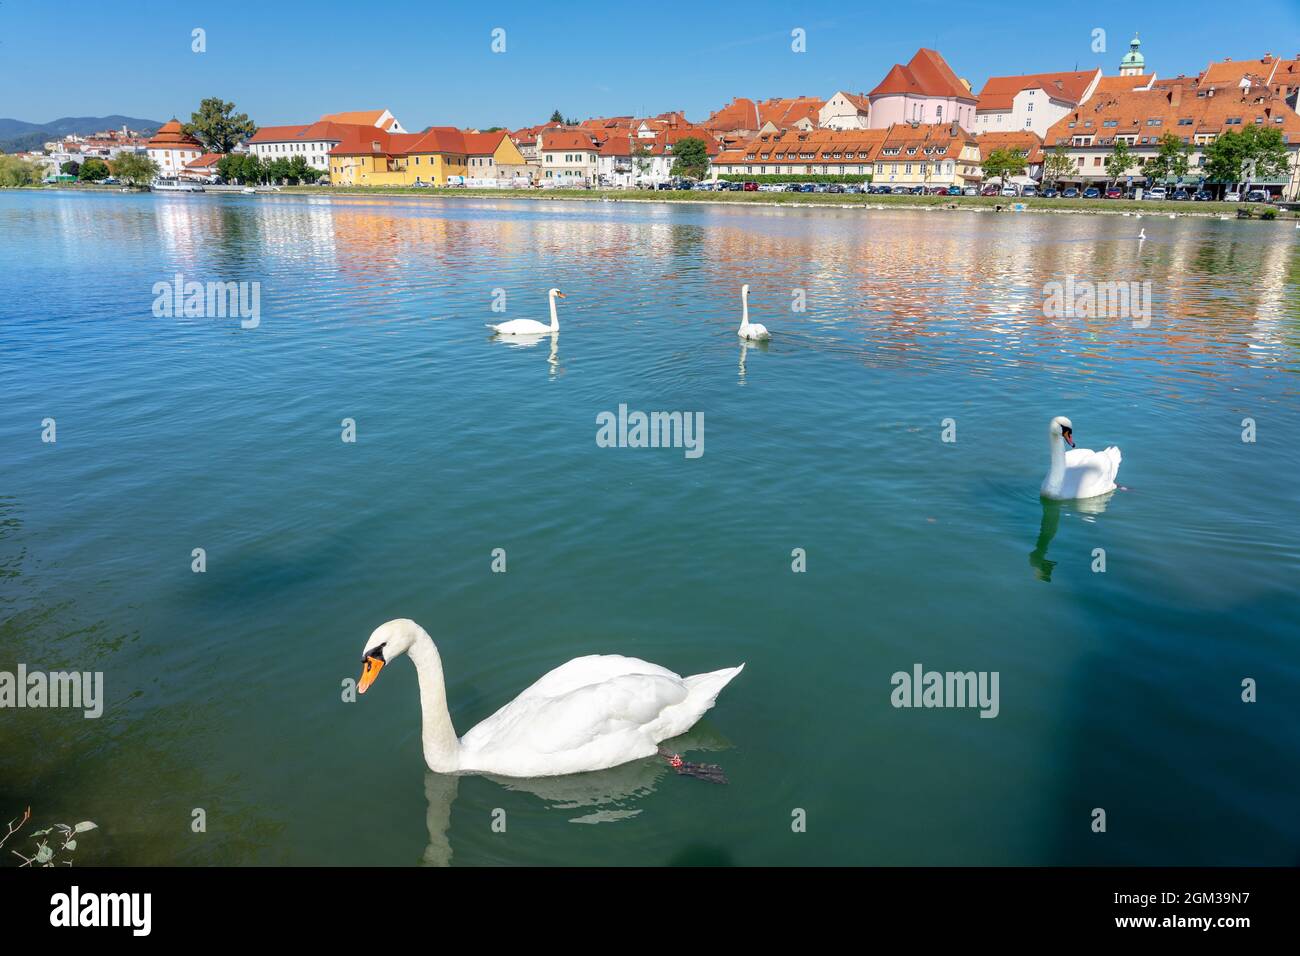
(601, 724)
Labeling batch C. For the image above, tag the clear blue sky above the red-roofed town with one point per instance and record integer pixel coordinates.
(432, 64)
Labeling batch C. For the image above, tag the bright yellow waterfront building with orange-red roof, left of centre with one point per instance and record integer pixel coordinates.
(374, 158)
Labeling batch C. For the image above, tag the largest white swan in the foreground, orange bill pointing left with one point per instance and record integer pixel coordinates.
(592, 713)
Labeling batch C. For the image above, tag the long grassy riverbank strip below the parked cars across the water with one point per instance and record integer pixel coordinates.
(1098, 207)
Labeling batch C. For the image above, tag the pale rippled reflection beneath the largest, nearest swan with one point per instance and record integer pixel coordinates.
(600, 797)
